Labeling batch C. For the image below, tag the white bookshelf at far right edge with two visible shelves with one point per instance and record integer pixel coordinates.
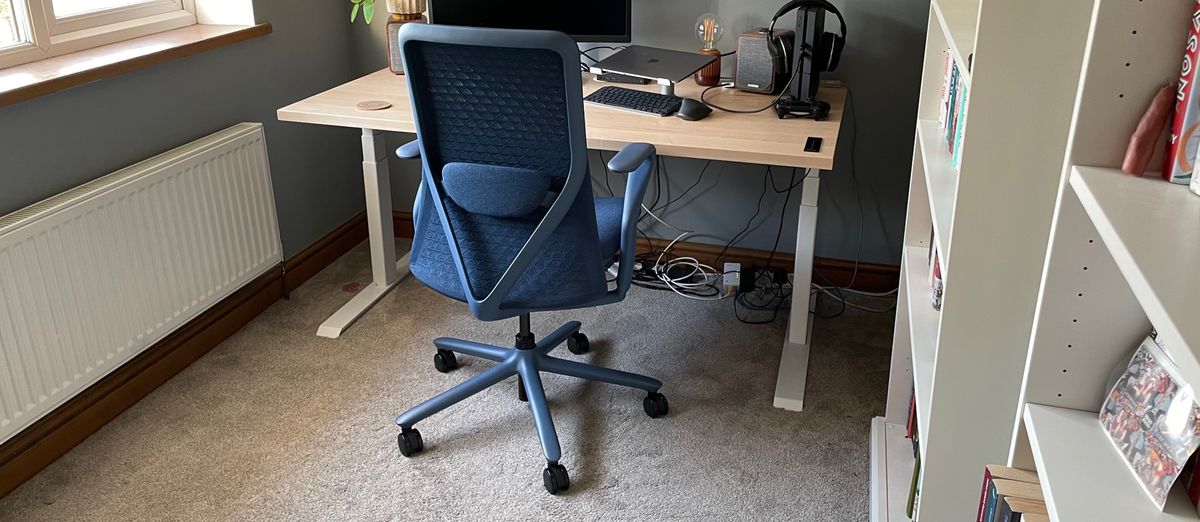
(1123, 257)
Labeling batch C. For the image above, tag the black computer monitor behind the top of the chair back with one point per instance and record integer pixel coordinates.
(595, 21)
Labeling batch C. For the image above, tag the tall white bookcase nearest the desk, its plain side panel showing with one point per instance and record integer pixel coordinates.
(1022, 62)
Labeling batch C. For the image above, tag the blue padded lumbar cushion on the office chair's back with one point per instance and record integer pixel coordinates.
(494, 190)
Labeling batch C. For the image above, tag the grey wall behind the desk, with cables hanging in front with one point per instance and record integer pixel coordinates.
(883, 68)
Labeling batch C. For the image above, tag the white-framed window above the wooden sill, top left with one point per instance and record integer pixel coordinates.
(33, 31)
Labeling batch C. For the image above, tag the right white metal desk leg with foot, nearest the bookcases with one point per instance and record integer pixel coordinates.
(794, 365)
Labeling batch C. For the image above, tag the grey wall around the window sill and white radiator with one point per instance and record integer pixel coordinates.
(57, 142)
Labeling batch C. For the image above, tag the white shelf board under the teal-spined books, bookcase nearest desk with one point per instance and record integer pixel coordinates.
(941, 181)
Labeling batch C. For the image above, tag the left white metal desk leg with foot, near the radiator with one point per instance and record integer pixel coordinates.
(386, 271)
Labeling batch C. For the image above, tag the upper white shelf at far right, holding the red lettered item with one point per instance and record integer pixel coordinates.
(1150, 227)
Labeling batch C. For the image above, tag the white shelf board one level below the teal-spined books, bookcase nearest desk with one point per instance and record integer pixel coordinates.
(923, 329)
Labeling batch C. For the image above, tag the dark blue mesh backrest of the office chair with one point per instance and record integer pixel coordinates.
(502, 107)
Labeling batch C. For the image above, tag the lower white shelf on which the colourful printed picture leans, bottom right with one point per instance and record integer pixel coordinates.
(1078, 467)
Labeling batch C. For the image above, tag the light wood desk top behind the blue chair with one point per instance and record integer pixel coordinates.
(759, 139)
